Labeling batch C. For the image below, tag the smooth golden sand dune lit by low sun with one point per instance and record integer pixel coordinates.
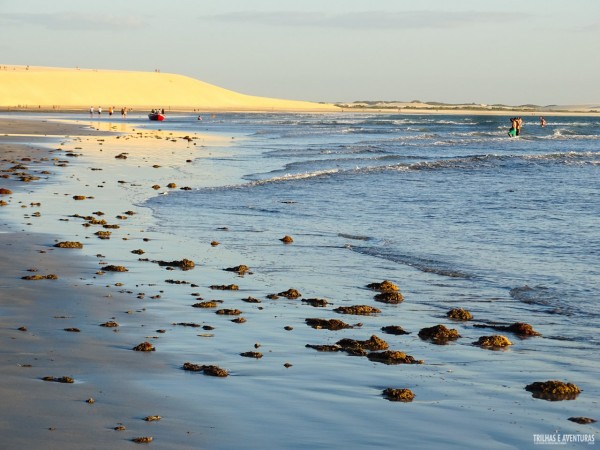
(48, 88)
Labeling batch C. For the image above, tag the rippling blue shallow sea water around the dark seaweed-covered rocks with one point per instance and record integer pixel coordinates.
(447, 207)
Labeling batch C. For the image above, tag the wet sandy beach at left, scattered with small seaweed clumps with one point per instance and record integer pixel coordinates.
(35, 315)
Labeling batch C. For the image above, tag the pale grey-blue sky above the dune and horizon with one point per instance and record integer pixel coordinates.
(533, 51)
